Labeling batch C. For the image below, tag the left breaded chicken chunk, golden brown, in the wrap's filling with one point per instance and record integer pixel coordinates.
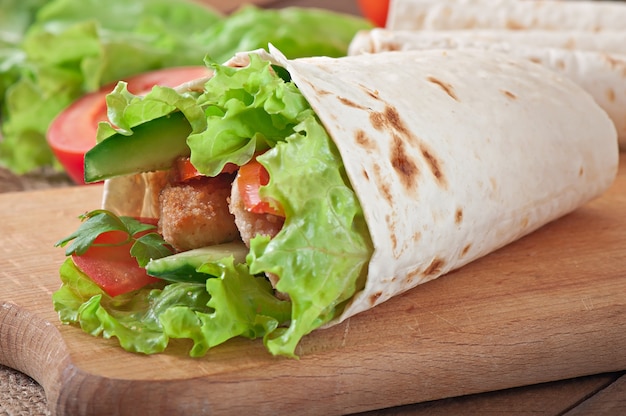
(195, 213)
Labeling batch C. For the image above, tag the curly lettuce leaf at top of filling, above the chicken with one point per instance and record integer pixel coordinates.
(248, 110)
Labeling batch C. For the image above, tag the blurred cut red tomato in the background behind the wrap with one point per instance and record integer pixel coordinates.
(73, 131)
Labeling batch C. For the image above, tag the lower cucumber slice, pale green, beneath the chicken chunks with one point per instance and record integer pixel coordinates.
(181, 267)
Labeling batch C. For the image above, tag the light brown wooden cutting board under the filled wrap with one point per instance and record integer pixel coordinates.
(549, 306)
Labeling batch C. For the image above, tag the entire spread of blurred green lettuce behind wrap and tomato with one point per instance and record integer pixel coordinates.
(54, 52)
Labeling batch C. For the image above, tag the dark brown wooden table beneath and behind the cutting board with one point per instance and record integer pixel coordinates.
(599, 394)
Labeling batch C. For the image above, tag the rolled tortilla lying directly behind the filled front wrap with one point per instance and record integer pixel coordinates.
(601, 73)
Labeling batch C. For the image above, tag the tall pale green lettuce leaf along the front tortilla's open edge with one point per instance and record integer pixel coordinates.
(321, 253)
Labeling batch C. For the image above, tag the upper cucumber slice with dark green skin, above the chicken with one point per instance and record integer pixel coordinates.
(153, 145)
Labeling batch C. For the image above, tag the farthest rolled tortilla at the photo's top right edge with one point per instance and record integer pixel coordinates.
(591, 16)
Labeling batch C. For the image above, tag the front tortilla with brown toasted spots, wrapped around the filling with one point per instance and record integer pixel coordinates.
(457, 155)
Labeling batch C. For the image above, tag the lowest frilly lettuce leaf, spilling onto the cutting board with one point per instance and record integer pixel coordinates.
(232, 304)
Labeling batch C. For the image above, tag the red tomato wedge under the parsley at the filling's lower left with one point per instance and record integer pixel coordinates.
(112, 267)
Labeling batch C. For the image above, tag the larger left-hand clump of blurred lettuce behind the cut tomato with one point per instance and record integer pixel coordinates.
(75, 46)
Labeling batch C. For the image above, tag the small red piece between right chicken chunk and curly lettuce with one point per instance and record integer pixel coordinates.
(250, 178)
